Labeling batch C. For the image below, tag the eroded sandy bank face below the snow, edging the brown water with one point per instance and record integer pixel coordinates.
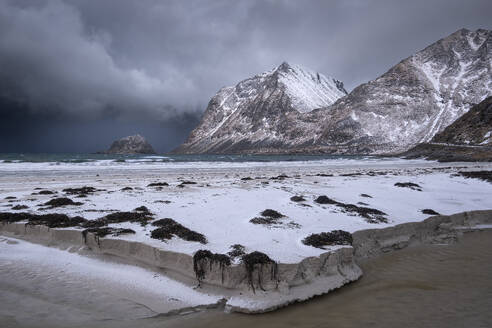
(329, 271)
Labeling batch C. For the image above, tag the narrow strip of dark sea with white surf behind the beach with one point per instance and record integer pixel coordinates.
(34, 164)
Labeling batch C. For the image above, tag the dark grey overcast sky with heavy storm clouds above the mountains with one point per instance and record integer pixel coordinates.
(77, 74)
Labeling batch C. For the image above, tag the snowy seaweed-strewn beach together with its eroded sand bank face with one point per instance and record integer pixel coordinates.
(221, 204)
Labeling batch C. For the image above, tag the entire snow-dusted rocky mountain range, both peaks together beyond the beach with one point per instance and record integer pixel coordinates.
(409, 104)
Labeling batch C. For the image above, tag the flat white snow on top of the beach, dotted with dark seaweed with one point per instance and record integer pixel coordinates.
(224, 202)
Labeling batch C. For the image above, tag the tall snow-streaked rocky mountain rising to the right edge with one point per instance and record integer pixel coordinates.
(415, 99)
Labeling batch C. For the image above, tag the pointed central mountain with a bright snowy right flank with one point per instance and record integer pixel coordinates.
(263, 112)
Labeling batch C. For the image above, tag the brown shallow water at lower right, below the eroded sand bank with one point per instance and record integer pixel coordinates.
(424, 286)
